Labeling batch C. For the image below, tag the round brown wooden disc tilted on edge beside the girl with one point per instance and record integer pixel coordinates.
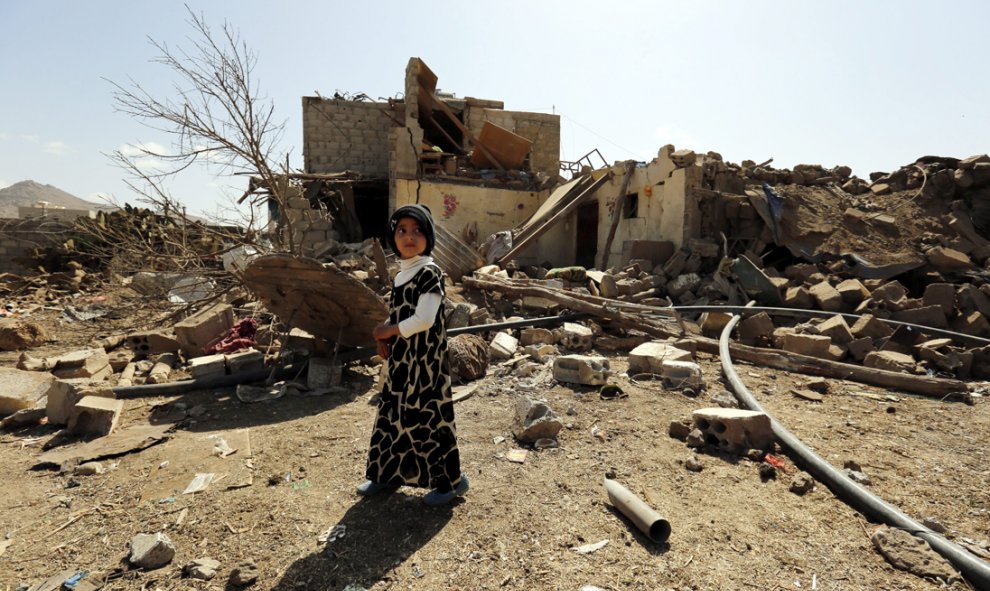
(324, 301)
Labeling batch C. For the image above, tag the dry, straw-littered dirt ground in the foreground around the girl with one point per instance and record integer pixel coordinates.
(519, 525)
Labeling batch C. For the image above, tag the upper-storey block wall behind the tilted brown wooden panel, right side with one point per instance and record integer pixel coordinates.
(542, 128)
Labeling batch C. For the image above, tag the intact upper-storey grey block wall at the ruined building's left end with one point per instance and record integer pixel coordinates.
(346, 135)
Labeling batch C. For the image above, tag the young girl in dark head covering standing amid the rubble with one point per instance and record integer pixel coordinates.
(414, 441)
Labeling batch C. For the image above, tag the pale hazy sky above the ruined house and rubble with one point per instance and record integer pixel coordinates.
(873, 85)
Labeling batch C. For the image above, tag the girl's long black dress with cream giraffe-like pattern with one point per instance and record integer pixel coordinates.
(414, 441)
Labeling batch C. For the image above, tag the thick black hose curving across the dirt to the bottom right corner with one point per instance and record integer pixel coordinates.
(976, 571)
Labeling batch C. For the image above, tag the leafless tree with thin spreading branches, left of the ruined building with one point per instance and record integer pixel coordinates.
(216, 116)
